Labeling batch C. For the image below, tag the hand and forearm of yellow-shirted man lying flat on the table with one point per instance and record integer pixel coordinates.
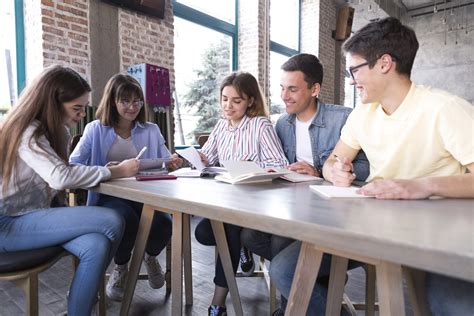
(396, 189)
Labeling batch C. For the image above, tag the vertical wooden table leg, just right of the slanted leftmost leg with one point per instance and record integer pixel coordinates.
(177, 264)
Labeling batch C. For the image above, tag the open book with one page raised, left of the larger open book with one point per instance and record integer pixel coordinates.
(192, 155)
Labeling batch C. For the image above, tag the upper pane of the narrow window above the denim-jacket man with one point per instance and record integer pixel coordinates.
(284, 22)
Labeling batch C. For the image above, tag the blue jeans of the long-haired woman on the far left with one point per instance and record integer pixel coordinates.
(90, 233)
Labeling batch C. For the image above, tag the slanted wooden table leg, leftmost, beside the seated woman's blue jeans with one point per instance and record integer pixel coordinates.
(137, 257)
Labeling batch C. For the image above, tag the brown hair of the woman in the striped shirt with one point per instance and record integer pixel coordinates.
(245, 83)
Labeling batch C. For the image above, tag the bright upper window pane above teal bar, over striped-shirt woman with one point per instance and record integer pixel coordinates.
(220, 9)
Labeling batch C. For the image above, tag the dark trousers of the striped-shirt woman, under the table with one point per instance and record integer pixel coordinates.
(205, 236)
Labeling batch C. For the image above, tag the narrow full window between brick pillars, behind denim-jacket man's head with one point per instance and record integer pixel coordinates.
(284, 42)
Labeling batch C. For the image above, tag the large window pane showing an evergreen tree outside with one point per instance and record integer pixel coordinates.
(202, 60)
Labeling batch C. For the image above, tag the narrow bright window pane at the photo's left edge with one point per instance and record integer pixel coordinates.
(7, 56)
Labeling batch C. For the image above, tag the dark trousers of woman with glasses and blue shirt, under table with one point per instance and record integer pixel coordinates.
(160, 233)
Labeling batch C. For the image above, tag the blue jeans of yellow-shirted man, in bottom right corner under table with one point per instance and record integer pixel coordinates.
(449, 296)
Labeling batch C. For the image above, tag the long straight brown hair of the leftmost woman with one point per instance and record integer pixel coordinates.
(42, 100)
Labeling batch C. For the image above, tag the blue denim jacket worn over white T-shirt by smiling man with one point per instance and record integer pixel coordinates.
(324, 133)
